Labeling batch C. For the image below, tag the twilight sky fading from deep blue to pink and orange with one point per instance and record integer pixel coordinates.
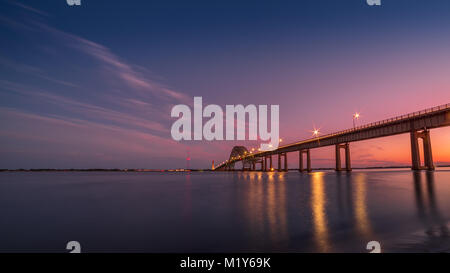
(92, 86)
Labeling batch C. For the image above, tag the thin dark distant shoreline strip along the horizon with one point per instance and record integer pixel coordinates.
(185, 170)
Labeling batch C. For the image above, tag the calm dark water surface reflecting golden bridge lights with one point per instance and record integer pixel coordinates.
(225, 212)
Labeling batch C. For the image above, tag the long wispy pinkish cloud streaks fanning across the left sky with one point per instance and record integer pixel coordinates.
(123, 108)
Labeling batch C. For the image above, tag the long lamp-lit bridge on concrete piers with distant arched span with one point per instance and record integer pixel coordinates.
(417, 124)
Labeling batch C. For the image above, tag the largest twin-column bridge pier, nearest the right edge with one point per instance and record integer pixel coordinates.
(427, 153)
